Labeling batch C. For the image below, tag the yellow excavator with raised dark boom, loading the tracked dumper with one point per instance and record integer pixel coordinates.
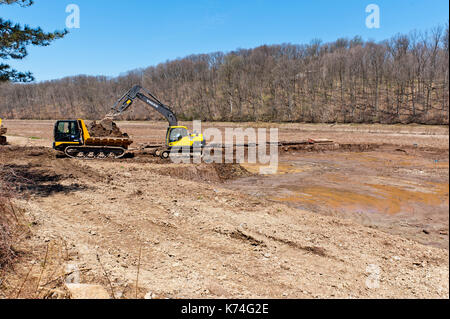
(177, 137)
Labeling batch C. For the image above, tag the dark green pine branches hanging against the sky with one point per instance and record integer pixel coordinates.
(14, 40)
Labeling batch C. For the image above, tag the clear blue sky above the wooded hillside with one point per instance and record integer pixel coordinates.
(118, 36)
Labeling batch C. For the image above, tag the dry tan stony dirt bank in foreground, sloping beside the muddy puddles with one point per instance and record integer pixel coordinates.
(196, 238)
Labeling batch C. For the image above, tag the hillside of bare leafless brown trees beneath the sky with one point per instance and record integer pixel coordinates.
(404, 79)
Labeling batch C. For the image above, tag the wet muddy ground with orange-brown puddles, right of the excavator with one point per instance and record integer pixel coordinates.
(405, 192)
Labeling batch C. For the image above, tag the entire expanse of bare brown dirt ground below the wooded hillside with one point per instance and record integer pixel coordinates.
(332, 224)
